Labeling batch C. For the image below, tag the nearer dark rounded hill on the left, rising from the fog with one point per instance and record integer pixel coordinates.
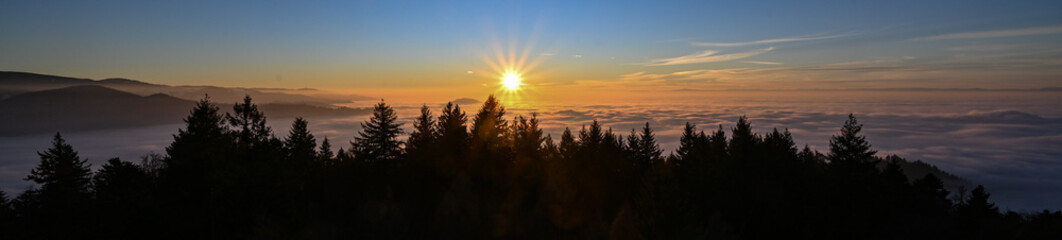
(89, 108)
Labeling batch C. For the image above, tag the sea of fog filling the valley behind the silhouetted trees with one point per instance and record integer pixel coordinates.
(1009, 142)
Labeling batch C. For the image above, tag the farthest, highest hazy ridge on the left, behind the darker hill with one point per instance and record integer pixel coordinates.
(13, 83)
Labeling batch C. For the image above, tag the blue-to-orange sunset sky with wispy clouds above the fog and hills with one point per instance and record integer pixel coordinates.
(447, 48)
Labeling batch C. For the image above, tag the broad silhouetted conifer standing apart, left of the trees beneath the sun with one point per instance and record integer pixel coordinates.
(379, 141)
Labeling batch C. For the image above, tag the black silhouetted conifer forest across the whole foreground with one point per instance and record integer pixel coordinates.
(489, 176)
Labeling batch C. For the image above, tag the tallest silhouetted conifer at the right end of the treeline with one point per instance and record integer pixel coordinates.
(850, 151)
